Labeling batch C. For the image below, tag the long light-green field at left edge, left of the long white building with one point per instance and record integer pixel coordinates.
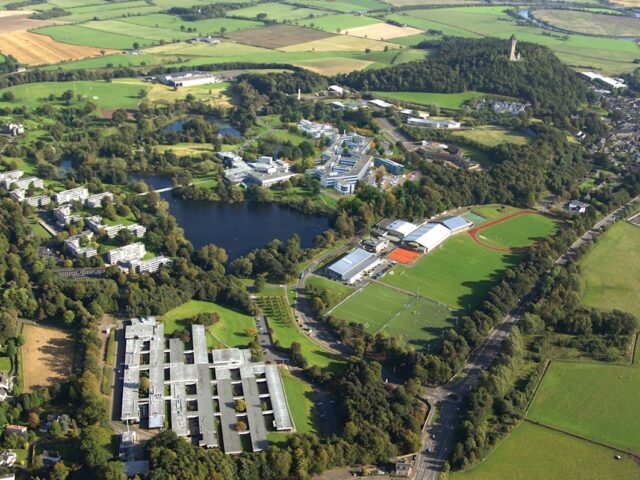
(107, 95)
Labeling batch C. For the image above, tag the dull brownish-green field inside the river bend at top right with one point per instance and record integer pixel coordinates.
(590, 22)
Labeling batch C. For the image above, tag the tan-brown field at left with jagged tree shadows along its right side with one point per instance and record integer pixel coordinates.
(46, 356)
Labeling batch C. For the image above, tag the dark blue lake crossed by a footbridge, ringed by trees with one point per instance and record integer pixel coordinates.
(237, 227)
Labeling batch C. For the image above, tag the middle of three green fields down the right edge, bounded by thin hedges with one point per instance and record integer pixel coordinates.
(595, 401)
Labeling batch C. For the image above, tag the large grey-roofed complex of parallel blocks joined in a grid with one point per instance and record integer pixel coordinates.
(198, 378)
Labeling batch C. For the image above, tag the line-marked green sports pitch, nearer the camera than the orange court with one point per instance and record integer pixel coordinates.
(381, 309)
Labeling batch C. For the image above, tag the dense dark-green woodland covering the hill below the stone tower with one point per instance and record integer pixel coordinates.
(459, 64)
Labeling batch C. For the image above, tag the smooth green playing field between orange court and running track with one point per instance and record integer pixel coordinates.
(459, 273)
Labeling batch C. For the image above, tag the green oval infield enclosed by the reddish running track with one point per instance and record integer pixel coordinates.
(519, 232)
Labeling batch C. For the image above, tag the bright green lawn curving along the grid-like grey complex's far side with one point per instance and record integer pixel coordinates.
(228, 332)
